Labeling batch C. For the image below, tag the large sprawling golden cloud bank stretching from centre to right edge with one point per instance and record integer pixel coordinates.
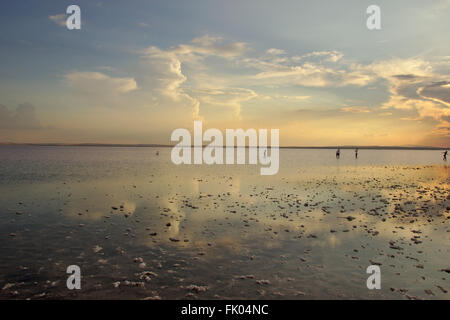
(185, 73)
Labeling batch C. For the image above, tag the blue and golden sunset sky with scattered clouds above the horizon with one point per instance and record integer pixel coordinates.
(137, 70)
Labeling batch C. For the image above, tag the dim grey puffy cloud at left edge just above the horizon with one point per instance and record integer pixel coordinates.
(23, 117)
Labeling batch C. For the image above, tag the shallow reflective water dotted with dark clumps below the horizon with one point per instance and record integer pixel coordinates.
(222, 231)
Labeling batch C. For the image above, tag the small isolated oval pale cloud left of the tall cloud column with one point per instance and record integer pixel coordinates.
(95, 83)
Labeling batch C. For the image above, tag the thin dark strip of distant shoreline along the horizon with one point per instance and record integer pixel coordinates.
(171, 146)
